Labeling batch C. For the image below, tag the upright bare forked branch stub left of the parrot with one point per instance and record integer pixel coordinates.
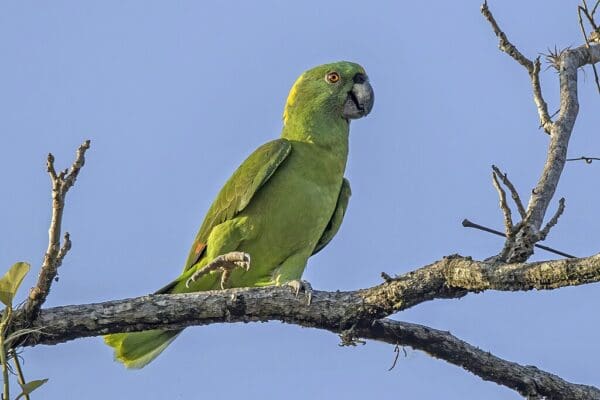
(61, 183)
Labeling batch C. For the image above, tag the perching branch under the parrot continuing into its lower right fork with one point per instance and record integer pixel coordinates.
(338, 312)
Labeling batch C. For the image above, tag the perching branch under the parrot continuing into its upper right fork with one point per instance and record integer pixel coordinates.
(451, 277)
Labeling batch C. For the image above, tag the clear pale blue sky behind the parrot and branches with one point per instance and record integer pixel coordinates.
(174, 95)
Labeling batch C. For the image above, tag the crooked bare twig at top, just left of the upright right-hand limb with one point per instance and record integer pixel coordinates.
(532, 67)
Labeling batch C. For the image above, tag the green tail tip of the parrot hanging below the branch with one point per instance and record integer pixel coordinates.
(137, 349)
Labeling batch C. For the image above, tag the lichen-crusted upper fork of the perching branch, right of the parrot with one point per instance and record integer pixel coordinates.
(455, 276)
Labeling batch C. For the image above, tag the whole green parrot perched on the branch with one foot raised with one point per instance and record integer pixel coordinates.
(282, 205)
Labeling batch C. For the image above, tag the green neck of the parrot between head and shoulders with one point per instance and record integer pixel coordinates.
(324, 131)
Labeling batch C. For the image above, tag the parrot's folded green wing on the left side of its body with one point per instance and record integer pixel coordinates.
(238, 191)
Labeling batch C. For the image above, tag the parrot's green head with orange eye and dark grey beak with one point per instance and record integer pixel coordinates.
(339, 89)
